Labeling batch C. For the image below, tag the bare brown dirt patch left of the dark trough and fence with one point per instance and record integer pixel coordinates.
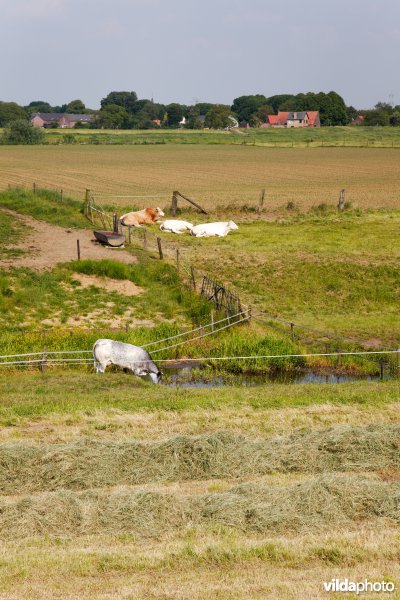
(48, 245)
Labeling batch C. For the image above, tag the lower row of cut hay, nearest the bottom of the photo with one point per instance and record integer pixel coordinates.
(315, 504)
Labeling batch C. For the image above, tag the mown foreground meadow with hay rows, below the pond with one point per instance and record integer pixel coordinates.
(180, 532)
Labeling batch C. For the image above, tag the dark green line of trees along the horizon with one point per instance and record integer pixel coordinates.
(124, 110)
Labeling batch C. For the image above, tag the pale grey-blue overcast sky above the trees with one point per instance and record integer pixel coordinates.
(186, 51)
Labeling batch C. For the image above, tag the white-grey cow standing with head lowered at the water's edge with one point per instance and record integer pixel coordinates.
(126, 356)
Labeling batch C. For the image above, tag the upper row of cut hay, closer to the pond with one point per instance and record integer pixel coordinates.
(91, 463)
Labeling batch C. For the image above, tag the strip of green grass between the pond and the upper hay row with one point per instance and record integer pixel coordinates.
(57, 392)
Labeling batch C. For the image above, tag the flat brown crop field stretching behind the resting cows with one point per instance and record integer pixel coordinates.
(214, 175)
